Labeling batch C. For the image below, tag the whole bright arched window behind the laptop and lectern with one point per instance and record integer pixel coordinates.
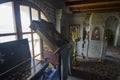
(10, 29)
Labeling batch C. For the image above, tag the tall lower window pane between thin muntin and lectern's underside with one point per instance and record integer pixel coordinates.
(36, 44)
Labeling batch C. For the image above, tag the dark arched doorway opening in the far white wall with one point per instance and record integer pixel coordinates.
(110, 29)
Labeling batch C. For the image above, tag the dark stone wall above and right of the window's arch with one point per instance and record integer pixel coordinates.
(48, 7)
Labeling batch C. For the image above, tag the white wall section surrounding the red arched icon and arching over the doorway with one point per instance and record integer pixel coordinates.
(98, 19)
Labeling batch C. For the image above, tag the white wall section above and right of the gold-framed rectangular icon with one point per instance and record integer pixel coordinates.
(75, 19)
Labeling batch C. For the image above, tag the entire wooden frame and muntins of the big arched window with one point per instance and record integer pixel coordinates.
(17, 21)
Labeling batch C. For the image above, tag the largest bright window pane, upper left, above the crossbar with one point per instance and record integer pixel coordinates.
(6, 18)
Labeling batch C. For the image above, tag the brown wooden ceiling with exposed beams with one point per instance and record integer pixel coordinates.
(88, 6)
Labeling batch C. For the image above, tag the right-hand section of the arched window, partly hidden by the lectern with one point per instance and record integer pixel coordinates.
(27, 14)
